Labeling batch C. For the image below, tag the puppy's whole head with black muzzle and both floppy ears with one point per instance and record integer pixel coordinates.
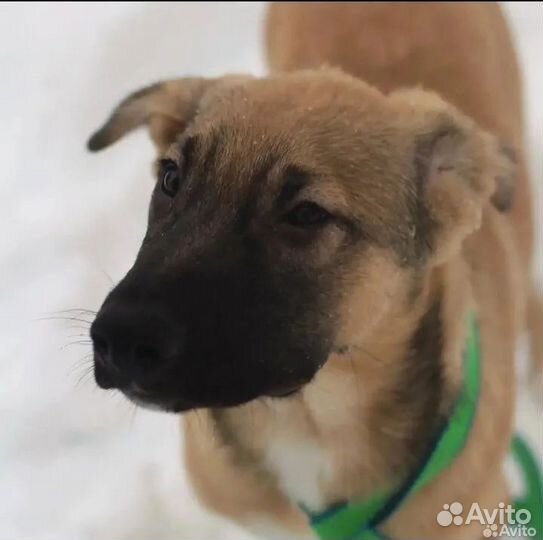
(288, 212)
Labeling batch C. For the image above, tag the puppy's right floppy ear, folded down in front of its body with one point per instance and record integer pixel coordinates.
(459, 169)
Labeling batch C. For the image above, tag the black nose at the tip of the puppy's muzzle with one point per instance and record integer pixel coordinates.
(133, 345)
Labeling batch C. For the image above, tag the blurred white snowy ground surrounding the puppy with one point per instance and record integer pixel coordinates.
(75, 463)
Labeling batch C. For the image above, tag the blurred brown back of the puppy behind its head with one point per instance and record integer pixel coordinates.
(463, 51)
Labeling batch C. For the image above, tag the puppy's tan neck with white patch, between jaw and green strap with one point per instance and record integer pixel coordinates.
(372, 411)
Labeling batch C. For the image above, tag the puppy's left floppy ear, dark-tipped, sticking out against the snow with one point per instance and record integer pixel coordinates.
(165, 107)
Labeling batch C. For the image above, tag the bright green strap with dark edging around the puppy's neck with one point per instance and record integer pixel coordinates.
(361, 519)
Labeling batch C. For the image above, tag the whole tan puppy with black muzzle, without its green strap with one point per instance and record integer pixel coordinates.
(317, 240)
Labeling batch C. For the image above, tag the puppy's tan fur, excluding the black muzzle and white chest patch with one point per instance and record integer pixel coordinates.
(441, 72)
